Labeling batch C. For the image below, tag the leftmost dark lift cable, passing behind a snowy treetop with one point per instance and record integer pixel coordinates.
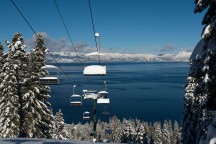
(37, 36)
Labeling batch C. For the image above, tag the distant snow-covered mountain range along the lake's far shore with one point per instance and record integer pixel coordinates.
(68, 57)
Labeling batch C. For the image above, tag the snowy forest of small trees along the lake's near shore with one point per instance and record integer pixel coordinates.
(127, 131)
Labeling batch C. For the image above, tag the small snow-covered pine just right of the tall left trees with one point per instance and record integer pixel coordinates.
(60, 132)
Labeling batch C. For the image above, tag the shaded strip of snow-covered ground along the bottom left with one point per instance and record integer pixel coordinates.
(39, 141)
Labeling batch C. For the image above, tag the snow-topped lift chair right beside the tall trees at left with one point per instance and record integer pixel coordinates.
(50, 79)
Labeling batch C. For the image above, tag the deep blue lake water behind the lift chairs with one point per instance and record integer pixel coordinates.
(148, 91)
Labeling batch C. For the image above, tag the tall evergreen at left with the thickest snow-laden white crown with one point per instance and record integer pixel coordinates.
(16, 61)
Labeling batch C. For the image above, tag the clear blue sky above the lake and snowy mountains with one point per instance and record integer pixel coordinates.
(130, 26)
